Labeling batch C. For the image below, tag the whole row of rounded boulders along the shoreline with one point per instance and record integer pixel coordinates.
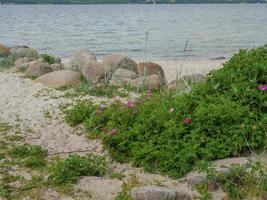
(114, 69)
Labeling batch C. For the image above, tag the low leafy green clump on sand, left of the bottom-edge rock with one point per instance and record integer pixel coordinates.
(67, 171)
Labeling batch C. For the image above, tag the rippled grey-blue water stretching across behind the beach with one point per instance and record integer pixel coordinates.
(212, 30)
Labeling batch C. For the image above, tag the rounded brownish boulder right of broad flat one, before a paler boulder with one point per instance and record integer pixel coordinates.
(94, 72)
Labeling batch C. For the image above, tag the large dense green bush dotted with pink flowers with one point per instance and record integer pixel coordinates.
(170, 133)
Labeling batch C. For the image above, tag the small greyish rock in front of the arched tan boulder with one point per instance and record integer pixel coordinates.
(122, 77)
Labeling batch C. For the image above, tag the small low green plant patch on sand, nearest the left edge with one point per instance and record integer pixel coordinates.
(29, 156)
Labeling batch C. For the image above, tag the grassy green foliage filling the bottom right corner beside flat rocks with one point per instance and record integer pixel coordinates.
(239, 182)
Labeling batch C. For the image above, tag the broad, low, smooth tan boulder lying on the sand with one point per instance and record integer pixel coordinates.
(59, 78)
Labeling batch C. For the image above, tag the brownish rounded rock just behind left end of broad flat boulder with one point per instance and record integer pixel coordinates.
(38, 68)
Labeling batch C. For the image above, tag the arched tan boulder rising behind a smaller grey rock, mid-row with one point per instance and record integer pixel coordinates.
(115, 61)
